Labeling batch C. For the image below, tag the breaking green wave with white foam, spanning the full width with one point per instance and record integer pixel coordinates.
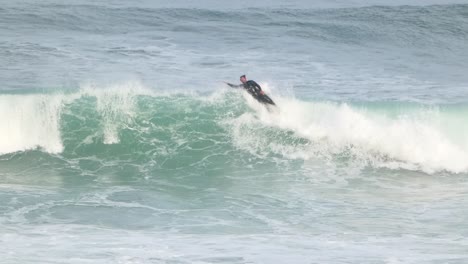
(130, 122)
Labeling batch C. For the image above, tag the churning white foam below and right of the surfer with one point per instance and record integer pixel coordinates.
(414, 141)
